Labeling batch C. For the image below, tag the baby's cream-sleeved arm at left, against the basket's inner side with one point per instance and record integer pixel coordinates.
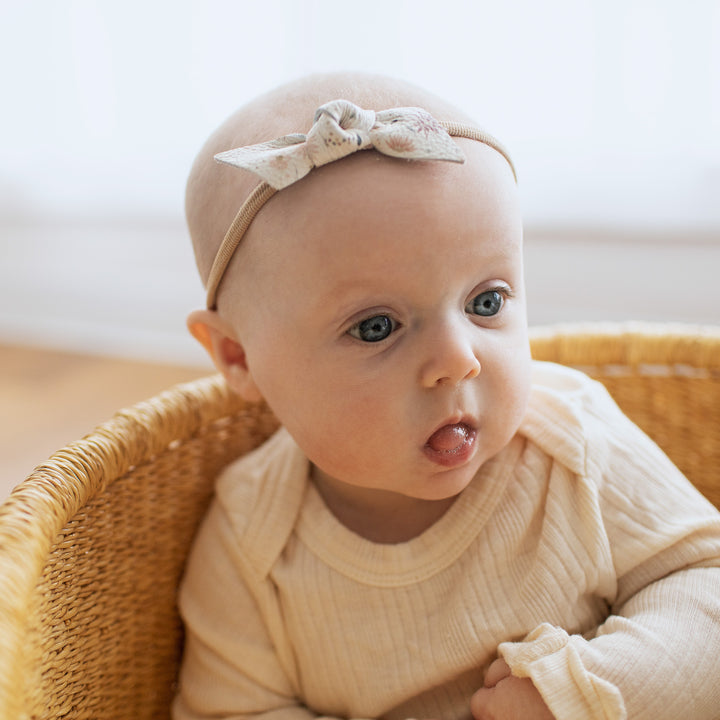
(230, 666)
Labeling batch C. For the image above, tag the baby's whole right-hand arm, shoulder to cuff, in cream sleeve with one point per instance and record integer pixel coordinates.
(656, 656)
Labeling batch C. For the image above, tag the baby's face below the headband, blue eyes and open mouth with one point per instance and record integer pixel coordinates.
(386, 324)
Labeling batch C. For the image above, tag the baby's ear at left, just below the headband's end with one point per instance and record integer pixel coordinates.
(225, 350)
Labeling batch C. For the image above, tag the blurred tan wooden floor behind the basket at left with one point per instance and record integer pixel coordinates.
(49, 398)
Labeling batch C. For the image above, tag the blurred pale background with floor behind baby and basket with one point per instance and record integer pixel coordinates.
(611, 110)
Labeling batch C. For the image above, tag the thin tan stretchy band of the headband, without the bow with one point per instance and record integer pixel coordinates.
(263, 192)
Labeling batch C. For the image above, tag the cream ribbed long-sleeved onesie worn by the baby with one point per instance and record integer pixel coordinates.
(579, 554)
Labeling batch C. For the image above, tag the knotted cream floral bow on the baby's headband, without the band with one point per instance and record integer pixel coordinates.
(340, 129)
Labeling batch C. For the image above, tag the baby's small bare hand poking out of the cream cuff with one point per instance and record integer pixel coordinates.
(506, 697)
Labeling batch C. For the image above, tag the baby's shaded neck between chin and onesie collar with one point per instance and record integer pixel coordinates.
(379, 515)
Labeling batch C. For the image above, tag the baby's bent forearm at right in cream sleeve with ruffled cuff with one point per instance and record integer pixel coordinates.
(657, 657)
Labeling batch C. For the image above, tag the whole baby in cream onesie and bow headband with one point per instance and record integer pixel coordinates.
(441, 528)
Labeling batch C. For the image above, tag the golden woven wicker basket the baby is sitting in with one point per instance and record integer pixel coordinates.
(93, 543)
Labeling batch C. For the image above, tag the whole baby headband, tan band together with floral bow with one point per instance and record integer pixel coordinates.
(340, 129)
